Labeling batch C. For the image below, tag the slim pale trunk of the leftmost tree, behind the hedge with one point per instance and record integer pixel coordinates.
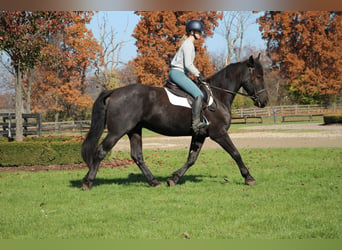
(18, 107)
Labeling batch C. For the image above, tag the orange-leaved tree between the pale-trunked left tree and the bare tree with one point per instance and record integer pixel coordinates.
(61, 80)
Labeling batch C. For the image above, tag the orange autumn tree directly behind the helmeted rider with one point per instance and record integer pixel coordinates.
(158, 34)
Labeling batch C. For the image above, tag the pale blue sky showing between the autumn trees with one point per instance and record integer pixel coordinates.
(127, 20)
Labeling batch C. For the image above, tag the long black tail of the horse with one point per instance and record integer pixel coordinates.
(98, 123)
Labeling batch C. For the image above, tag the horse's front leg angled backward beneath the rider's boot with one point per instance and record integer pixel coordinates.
(195, 147)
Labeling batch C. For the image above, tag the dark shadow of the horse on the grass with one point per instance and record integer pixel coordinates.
(134, 178)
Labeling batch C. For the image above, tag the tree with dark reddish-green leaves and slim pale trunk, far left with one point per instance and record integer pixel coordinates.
(22, 36)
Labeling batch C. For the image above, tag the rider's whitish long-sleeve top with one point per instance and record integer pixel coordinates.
(184, 58)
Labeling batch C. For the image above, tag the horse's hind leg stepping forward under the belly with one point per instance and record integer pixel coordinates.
(137, 156)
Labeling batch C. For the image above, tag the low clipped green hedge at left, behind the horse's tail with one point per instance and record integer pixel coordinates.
(45, 153)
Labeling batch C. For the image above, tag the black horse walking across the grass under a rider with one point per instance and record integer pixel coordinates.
(128, 109)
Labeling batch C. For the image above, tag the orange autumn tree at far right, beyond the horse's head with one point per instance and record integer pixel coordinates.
(306, 49)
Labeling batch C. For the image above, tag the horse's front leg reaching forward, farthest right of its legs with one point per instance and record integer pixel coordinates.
(227, 144)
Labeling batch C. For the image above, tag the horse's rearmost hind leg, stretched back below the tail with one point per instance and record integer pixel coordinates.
(106, 145)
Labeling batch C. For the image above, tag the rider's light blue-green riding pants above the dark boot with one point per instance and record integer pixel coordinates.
(185, 83)
